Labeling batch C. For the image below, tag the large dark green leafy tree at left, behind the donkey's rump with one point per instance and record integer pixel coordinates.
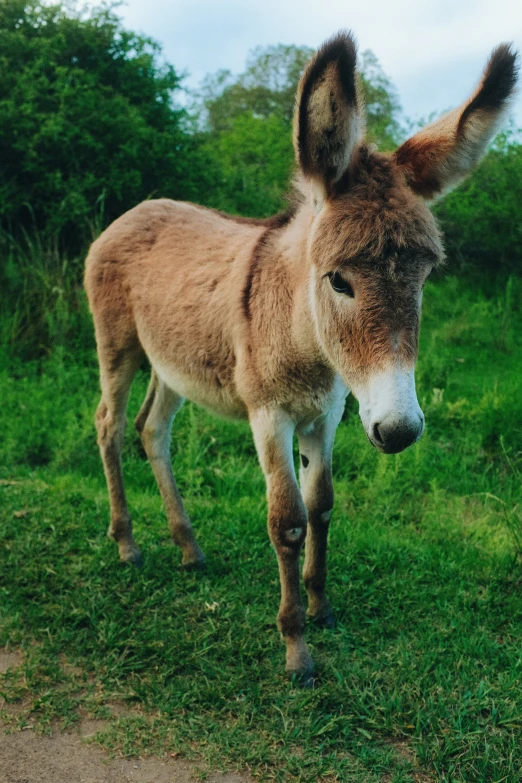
(86, 118)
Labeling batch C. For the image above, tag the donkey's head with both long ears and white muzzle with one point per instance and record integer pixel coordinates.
(373, 240)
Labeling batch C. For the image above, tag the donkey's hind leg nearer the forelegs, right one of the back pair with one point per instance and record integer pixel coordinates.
(154, 422)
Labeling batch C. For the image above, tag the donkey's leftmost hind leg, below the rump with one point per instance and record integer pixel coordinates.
(116, 375)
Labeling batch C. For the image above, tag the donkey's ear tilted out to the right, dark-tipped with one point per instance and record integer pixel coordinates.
(443, 153)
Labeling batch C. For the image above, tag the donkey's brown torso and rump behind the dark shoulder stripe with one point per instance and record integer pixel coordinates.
(165, 280)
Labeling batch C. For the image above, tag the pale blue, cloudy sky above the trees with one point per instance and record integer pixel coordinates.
(432, 50)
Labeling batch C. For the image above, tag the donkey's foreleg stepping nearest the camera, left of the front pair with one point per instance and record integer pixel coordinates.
(287, 519)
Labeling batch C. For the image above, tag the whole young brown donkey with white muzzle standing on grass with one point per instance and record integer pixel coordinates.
(275, 320)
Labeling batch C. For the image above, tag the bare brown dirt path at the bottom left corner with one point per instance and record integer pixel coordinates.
(26, 757)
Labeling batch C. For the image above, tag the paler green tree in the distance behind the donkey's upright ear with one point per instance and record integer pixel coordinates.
(248, 120)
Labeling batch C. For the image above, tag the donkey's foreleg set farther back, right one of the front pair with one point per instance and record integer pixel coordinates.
(315, 447)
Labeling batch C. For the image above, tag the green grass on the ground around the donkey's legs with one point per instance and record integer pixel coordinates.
(421, 680)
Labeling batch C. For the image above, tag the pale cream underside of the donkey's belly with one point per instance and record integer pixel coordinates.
(203, 388)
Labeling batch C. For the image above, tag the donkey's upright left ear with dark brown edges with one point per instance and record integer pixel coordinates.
(328, 115)
